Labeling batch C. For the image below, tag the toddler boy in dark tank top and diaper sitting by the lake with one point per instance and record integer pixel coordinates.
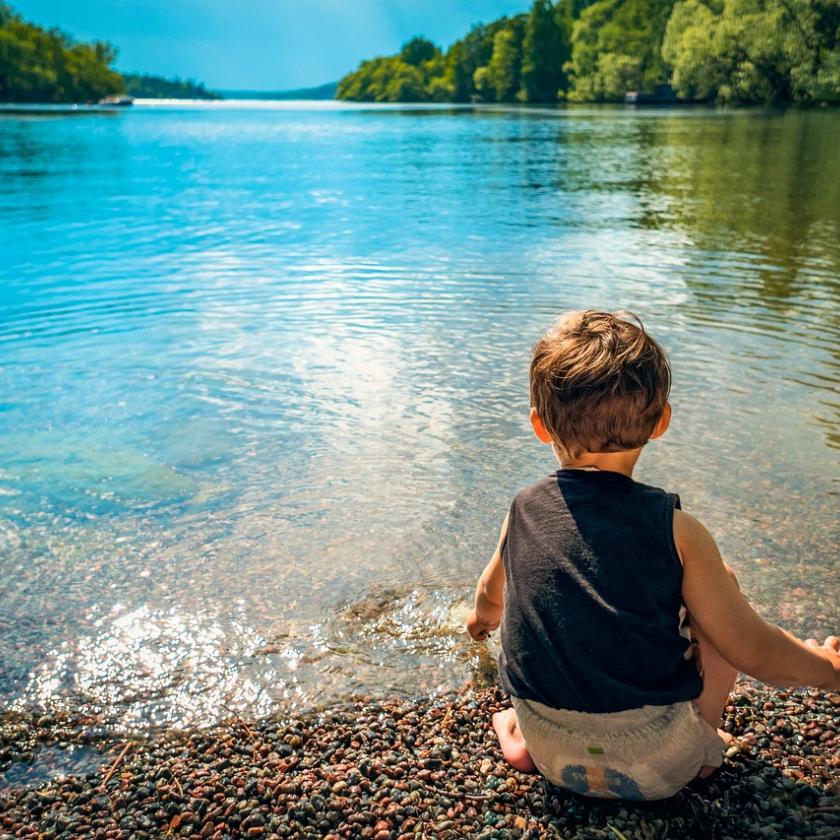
(622, 629)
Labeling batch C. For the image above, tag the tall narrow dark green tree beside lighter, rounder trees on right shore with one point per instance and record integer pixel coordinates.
(545, 49)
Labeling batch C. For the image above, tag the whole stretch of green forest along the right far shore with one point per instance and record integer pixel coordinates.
(729, 51)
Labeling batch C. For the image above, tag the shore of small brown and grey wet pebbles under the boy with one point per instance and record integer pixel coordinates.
(388, 769)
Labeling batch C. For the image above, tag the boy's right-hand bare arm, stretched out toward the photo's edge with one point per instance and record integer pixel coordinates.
(741, 636)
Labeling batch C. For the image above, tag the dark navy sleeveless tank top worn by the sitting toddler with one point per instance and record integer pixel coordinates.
(593, 583)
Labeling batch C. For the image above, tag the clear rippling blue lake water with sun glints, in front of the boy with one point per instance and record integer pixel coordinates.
(263, 386)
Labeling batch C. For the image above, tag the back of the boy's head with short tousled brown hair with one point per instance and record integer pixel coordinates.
(599, 383)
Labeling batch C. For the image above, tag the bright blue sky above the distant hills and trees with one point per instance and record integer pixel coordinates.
(259, 44)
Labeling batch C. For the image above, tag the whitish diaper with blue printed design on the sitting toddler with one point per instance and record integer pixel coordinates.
(647, 753)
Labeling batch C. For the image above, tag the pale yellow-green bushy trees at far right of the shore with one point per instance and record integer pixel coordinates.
(755, 50)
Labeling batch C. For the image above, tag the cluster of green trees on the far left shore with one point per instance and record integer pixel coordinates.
(38, 65)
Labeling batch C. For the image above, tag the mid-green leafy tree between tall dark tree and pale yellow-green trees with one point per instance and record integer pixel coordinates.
(616, 47)
